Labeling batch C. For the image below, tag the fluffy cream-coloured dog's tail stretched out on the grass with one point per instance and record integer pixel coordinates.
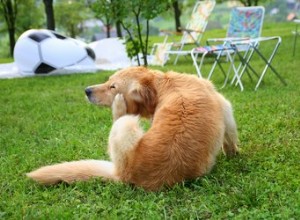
(74, 171)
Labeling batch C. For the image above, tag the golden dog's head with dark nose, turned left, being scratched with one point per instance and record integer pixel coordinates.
(136, 84)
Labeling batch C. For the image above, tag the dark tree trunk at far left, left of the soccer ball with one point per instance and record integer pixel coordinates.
(9, 10)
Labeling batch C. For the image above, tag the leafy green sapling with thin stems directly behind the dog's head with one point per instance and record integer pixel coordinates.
(134, 17)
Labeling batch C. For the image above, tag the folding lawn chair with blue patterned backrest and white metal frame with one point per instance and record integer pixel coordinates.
(245, 23)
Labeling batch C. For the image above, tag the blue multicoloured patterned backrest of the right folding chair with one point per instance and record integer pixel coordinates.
(246, 22)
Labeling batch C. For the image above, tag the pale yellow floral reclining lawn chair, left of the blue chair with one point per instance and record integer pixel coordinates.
(192, 34)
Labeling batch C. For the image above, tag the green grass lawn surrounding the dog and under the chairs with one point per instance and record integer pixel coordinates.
(45, 120)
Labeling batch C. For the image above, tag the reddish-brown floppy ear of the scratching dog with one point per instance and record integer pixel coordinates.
(143, 93)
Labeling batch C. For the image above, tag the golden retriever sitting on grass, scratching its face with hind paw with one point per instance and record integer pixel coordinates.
(190, 123)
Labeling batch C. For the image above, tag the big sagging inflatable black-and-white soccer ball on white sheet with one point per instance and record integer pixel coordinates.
(44, 51)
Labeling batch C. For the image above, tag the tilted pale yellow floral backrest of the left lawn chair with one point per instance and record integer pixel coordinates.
(198, 21)
